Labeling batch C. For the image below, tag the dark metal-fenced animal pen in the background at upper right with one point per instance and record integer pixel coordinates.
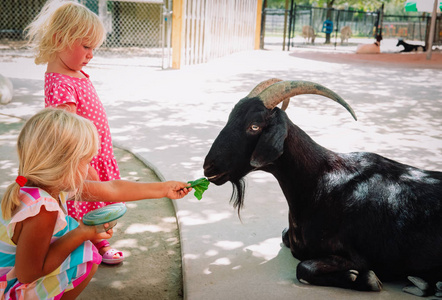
(284, 27)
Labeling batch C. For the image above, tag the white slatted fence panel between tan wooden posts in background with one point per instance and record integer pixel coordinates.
(207, 29)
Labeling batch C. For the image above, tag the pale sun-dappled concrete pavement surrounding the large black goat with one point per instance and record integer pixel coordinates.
(170, 119)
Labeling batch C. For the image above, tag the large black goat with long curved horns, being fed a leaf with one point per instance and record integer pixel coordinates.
(352, 217)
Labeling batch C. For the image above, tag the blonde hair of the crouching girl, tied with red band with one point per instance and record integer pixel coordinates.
(50, 147)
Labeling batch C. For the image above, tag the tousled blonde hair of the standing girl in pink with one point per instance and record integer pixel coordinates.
(59, 24)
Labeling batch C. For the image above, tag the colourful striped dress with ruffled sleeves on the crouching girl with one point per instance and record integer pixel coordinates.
(68, 275)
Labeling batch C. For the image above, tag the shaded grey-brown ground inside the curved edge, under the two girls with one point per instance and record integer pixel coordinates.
(147, 233)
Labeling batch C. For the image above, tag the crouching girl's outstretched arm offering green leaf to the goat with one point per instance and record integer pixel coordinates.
(125, 191)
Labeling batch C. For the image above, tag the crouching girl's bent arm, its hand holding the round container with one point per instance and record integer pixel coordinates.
(36, 256)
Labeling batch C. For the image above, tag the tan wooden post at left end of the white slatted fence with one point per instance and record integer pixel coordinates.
(177, 26)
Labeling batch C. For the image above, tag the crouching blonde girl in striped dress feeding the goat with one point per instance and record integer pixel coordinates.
(44, 253)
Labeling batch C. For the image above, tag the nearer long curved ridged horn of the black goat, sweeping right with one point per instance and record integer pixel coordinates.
(280, 91)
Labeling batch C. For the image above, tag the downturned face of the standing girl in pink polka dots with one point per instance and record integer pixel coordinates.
(77, 57)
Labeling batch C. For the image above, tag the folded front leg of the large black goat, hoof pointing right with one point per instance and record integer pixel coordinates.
(337, 272)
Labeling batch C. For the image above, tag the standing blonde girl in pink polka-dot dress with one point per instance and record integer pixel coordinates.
(65, 34)
